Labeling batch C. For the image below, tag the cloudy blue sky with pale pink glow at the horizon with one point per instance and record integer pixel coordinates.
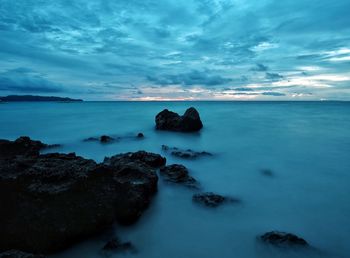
(176, 49)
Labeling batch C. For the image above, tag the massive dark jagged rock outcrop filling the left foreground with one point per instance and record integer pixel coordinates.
(48, 202)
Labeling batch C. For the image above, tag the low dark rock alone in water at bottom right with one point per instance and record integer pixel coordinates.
(283, 239)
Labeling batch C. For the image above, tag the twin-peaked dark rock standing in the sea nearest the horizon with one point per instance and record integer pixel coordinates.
(188, 122)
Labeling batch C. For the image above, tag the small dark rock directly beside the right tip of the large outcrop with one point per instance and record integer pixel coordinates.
(178, 174)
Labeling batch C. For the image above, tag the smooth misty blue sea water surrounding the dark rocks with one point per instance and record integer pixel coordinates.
(306, 146)
